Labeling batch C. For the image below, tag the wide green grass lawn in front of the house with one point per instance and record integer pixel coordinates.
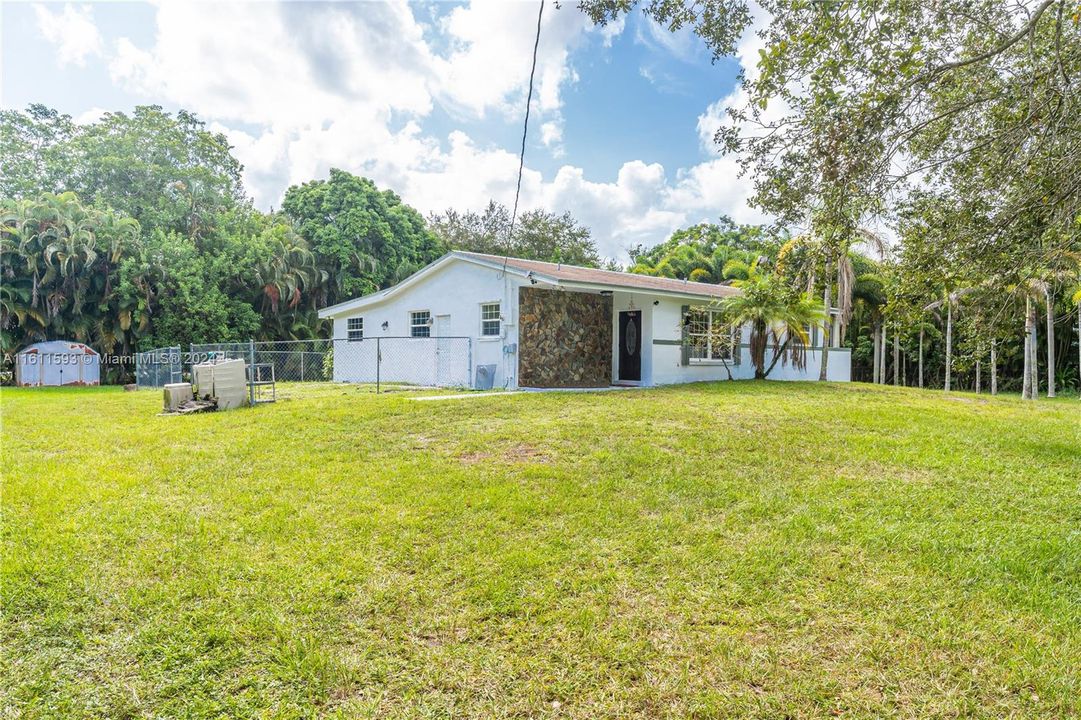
(720, 551)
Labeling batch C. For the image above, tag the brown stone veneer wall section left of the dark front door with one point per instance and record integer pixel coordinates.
(565, 339)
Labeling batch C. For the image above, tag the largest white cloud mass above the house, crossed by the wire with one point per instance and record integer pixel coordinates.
(301, 89)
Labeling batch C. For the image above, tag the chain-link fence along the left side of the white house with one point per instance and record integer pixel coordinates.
(379, 362)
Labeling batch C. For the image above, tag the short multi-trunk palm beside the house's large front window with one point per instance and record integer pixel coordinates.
(779, 318)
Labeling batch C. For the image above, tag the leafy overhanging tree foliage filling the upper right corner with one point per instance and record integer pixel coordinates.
(850, 100)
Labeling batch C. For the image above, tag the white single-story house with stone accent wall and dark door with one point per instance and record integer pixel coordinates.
(545, 325)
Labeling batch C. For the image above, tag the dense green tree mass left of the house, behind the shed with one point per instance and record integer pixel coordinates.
(135, 232)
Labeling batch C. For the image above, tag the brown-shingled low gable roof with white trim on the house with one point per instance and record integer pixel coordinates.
(571, 277)
